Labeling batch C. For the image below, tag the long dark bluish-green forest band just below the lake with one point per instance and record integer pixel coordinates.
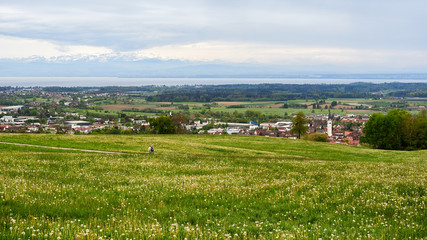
(281, 92)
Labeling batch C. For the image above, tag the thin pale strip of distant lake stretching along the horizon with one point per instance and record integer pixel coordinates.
(115, 81)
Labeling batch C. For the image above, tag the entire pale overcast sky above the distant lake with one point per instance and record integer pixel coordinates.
(191, 37)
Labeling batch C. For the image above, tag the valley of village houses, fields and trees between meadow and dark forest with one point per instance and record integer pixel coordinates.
(125, 111)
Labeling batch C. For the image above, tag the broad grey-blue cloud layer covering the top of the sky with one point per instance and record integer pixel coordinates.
(126, 25)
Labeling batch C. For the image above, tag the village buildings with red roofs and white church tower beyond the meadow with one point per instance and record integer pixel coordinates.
(340, 129)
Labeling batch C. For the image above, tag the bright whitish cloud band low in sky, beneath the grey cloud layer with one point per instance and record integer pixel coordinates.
(214, 51)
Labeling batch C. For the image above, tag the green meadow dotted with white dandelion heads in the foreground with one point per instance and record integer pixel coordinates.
(208, 187)
